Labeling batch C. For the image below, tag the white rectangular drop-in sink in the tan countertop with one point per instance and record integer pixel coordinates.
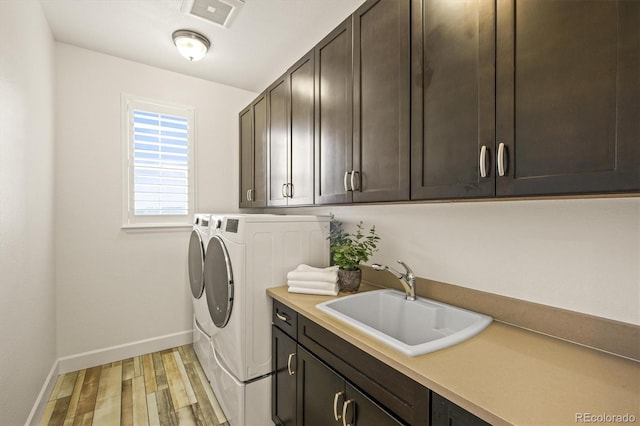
(411, 327)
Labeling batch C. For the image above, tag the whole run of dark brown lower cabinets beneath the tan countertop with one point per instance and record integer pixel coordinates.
(323, 380)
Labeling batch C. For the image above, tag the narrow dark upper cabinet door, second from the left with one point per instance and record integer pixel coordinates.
(259, 193)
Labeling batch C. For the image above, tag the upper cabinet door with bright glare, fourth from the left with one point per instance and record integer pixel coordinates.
(302, 120)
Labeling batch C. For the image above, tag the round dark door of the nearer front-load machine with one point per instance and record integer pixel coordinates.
(218, 281)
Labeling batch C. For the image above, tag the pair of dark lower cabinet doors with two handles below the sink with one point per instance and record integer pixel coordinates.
(325, 398)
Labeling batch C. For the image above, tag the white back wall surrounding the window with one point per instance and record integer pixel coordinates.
(116, 287)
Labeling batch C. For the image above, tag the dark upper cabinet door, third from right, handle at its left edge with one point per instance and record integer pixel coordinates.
(381, 101)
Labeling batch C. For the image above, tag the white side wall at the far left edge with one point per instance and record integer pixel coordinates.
(27, 290)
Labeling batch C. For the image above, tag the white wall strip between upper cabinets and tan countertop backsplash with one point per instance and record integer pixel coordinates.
(582, 254)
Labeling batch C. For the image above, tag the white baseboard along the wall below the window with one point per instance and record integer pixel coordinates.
(120, 352)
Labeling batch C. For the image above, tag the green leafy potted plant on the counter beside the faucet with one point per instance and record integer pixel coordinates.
(348, 251)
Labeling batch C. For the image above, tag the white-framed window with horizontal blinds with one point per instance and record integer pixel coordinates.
(158, 163)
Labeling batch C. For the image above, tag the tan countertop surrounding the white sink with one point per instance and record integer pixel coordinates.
(506, 375)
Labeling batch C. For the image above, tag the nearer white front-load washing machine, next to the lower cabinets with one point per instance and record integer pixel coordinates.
(248, 254)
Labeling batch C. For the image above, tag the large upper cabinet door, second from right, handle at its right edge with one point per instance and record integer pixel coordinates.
(453, 99)
